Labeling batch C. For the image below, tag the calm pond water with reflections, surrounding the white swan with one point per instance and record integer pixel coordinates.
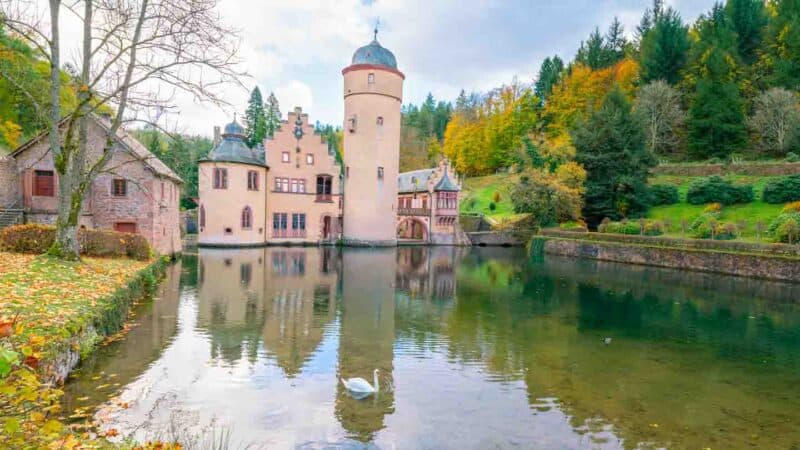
(477, 348)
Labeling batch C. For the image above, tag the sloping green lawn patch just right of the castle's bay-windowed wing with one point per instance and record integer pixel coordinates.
(478, 192)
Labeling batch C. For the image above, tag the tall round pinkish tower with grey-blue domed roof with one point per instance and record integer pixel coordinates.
(373, 95)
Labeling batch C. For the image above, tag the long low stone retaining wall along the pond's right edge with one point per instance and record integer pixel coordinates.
(757, 266)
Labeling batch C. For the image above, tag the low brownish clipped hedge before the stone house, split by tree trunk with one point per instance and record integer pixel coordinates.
(35, 238)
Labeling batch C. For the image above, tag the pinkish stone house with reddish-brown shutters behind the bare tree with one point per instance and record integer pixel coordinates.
(135, 193)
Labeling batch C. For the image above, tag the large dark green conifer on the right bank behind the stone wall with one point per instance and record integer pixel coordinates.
(610, 145)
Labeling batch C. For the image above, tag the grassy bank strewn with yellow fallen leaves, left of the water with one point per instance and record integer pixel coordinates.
(53, 312)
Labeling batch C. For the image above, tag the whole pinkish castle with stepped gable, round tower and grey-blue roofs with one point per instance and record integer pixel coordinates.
(292, 190)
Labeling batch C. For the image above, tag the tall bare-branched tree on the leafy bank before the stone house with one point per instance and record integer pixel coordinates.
(136, 56)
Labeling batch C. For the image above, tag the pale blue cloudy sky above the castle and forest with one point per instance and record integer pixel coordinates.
(297, 48)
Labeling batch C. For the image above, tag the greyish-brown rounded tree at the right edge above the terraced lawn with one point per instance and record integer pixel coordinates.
(776, 121)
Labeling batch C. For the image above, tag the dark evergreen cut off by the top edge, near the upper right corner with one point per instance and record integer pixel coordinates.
(748, 19)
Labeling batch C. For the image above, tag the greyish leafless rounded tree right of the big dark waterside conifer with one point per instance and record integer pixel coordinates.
(659, 108)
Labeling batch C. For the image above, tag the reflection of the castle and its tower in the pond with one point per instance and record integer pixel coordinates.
(284, 301)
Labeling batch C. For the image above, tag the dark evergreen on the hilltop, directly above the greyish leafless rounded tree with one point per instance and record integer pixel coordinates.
(664, 44)
